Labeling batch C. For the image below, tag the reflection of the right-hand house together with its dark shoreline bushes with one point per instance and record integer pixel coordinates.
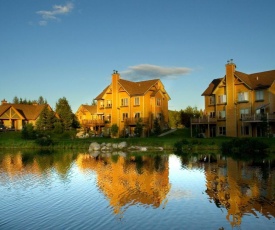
(242, 187)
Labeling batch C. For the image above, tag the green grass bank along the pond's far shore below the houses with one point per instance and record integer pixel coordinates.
(68, 141)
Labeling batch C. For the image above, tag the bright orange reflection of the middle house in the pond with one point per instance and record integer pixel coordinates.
(127, 181)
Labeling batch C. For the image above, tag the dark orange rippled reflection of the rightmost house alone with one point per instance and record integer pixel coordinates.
(240, 189)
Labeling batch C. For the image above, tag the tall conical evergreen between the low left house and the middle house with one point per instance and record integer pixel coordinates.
(64, 111)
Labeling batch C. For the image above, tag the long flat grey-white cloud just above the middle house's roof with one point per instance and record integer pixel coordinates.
(147, 71)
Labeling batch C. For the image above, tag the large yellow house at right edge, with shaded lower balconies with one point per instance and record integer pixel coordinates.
(238, 105)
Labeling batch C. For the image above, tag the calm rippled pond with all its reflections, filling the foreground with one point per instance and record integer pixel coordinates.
(118, 191)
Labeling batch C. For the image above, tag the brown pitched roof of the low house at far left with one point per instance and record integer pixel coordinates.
(29, 112)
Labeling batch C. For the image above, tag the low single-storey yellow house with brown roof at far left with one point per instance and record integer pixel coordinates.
(15, 116)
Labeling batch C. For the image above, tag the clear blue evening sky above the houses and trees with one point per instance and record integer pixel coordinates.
(70, 48)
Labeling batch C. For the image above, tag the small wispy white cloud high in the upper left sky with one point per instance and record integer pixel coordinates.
(57, 10)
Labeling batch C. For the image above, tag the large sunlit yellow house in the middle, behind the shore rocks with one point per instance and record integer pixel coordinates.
(125, 103)
